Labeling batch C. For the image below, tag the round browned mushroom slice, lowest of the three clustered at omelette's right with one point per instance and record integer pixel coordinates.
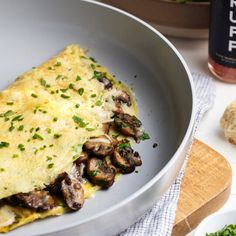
(100, 173)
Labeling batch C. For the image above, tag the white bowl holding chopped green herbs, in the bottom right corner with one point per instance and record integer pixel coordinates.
(216, 222)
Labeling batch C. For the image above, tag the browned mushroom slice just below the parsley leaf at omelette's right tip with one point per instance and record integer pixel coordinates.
(125, 158)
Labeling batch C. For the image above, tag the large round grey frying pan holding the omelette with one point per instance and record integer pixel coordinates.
(32, 31)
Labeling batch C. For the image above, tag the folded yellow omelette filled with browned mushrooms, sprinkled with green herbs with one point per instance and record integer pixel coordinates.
(67, 127)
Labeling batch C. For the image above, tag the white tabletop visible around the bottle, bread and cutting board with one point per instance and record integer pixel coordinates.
(195, 52)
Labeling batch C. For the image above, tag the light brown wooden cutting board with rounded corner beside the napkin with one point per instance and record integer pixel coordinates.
(204, 189)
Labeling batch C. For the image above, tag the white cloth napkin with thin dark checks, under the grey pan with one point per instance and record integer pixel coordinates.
(159, 219)
